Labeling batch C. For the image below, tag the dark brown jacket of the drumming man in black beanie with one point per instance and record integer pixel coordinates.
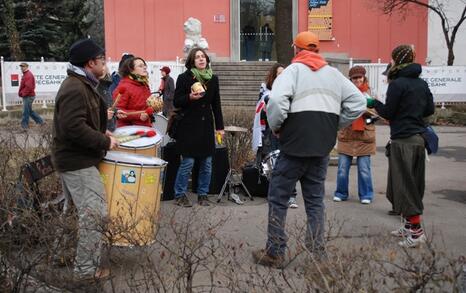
(79, 125)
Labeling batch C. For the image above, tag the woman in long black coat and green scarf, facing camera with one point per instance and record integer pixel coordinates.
(197, 99)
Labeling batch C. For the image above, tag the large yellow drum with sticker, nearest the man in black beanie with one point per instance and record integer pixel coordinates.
(133, 187)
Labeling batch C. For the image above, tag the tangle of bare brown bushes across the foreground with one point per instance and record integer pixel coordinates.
(193, 251)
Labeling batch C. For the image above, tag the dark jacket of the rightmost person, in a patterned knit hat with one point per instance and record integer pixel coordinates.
(408, 101)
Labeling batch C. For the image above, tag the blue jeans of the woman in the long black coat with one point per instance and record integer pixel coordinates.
(184, 172)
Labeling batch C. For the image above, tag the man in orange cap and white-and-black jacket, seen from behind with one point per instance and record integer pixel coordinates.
(310, 100)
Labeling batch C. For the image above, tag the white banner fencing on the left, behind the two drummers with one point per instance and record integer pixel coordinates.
(50, 75)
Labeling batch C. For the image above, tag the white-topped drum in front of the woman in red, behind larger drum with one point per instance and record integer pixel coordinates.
(143, 146)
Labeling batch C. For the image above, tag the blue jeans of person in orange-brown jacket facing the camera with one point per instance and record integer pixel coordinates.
(365, 189)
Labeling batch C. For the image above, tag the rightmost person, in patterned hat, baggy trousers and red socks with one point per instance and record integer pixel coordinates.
(408, 102)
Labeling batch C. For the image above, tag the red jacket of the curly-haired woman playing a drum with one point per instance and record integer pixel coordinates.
(133, 99)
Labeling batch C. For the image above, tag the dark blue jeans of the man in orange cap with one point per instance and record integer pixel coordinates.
(311, 172)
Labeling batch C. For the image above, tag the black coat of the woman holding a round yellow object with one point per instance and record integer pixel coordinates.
(195, 131)
